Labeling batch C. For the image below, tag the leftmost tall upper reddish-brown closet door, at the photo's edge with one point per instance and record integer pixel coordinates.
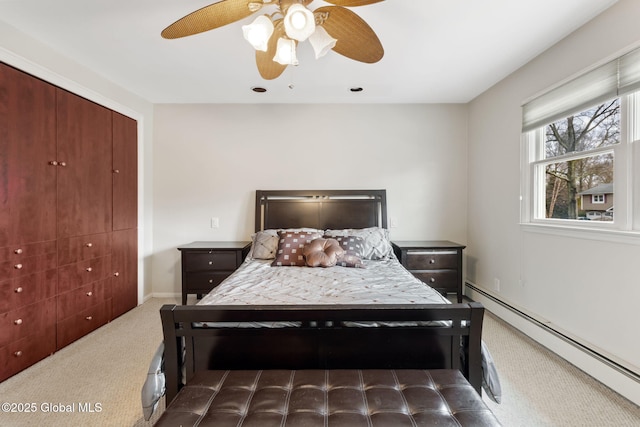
(27, 147)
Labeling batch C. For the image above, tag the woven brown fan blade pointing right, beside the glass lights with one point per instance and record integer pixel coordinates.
(356, 39)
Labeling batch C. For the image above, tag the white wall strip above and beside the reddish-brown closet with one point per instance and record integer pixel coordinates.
(35, 58)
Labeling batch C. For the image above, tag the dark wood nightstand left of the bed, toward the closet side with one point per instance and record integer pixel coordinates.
(206, 264)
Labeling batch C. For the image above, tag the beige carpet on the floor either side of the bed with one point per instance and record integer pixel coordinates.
(109, 366)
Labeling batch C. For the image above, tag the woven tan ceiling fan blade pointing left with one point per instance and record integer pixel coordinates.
(209, 17)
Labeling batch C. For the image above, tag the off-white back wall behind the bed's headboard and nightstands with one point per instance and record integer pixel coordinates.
(210, 159)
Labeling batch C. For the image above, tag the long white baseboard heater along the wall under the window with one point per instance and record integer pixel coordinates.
(619, 378)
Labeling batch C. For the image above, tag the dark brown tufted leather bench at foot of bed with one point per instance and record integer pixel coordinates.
(350, 398)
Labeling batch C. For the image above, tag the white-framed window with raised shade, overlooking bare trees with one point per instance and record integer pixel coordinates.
(578, 150)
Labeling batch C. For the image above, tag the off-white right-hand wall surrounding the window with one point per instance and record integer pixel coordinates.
(587, 288)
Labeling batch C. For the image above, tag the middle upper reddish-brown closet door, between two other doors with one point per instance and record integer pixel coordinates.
(84, 166)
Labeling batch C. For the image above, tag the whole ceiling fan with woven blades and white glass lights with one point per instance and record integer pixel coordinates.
(275, 35)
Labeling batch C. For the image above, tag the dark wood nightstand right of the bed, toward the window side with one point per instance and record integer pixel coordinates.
(438, 263)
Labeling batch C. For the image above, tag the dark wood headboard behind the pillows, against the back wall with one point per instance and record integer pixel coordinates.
(321, 209)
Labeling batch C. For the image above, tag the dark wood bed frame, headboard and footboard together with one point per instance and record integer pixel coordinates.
(322, 340)
